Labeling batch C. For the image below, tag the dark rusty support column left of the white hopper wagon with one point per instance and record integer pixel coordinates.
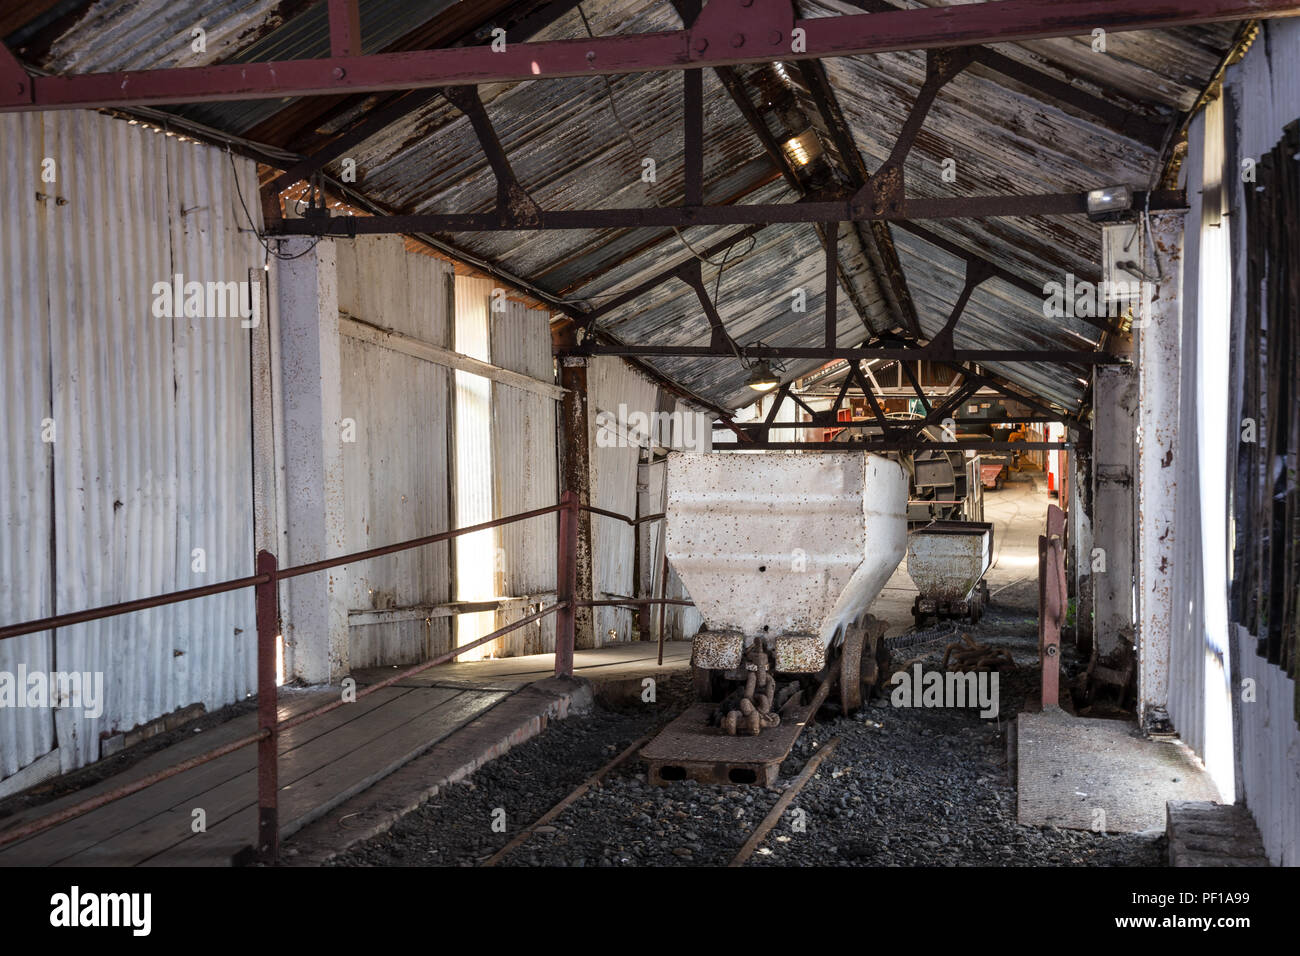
(577, 473)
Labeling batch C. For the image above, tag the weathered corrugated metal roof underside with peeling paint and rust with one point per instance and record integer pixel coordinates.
(570, 152)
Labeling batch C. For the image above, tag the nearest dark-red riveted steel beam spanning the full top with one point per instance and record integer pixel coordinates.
(729, 32)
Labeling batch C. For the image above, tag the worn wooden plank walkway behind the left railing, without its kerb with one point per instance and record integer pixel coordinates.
(323, 763)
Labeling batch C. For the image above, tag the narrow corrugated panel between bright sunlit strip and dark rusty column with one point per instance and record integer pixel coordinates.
(526, 474)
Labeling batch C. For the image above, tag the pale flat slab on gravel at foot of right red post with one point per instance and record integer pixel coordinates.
(1090, 775)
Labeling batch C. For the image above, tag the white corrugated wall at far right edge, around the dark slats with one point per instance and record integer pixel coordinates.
(1266, 93)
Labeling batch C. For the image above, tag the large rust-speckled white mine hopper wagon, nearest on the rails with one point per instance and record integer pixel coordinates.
(787, 552)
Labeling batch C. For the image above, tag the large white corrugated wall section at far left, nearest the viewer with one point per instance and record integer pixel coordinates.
(153, 417)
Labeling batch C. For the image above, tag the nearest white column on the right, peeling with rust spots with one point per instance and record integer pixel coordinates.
(1159, 356)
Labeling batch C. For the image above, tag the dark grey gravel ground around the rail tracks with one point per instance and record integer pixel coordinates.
(905, 788)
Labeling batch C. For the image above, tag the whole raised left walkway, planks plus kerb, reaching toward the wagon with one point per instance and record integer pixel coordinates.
(450, 719)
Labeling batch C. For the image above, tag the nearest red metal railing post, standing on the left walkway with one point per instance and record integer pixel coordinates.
(268, 755)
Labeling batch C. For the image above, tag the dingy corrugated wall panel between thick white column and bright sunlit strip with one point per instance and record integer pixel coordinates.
(396, 471)
